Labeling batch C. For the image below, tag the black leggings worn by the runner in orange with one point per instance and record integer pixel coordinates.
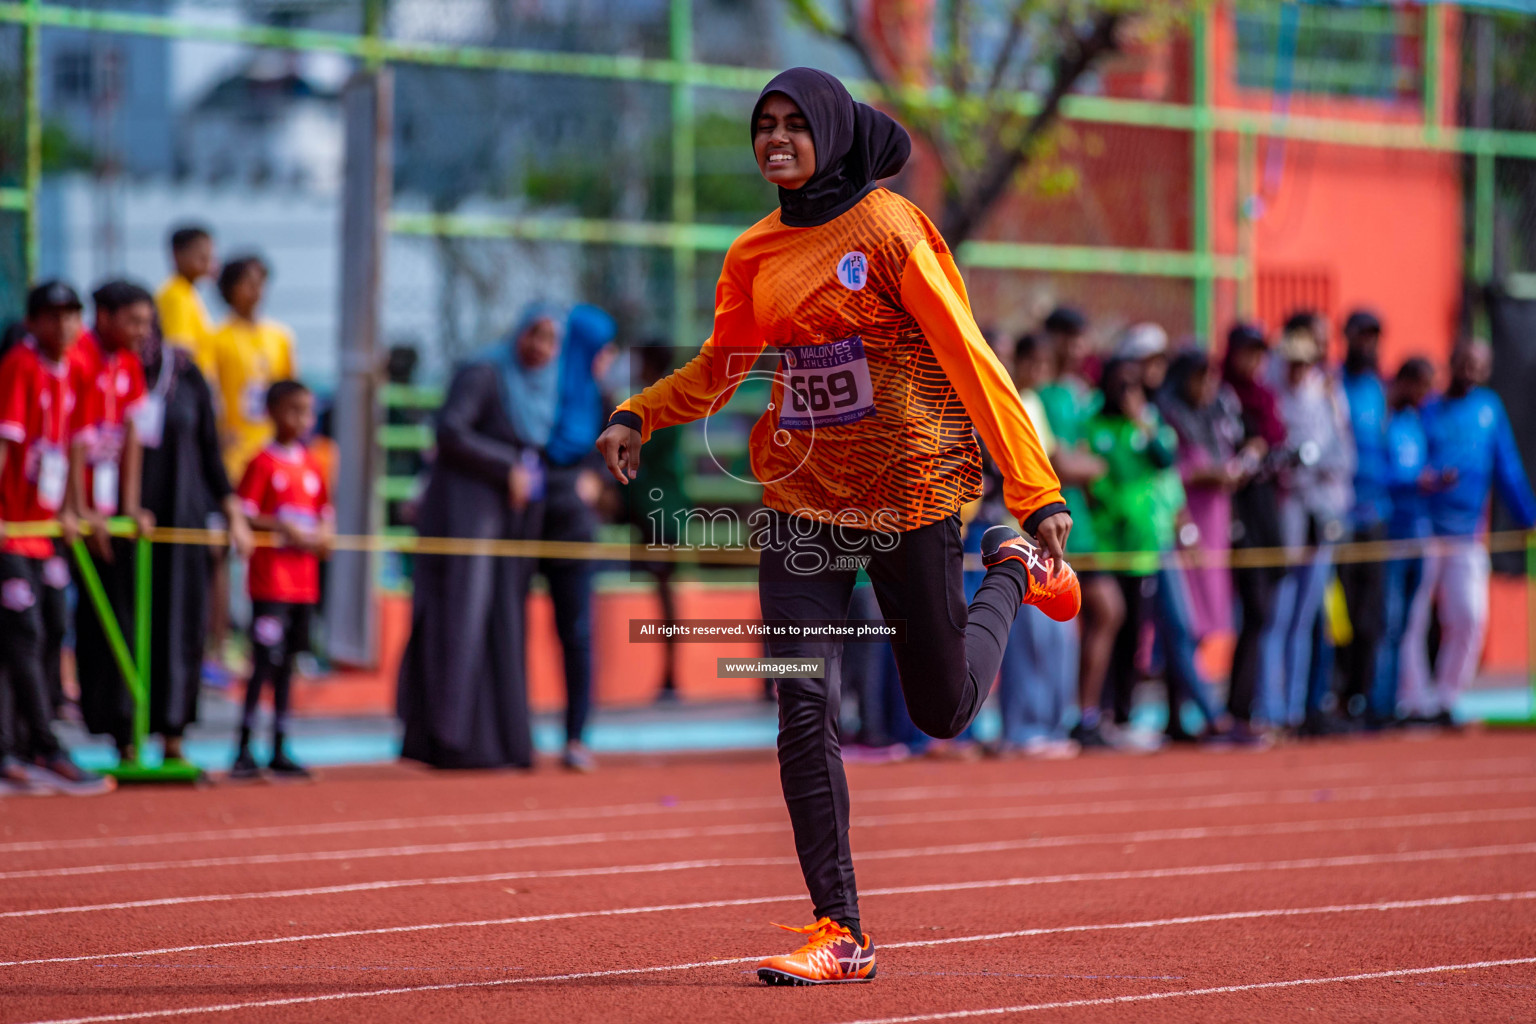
(947, 664)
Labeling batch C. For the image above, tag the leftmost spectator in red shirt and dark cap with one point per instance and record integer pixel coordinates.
(39, 426)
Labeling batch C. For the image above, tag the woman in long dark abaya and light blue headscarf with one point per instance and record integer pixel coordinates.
(463, 681)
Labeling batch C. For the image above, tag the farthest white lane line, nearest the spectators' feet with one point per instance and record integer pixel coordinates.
(1157, 781)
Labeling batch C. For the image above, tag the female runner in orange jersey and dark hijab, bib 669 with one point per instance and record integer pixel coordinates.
(867, 454)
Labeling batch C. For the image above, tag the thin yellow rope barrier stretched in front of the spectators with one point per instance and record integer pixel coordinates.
(600, 552)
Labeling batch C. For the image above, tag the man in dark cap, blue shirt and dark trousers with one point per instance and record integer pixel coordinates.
(1365, 581)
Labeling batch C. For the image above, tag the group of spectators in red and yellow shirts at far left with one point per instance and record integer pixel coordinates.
(159, 417)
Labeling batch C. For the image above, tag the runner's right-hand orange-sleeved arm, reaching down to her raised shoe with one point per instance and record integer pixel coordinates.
(935, 296)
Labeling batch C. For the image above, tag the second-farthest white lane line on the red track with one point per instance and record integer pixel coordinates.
(1352, 794)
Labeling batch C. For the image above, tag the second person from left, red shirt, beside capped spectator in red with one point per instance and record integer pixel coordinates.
(110, 383)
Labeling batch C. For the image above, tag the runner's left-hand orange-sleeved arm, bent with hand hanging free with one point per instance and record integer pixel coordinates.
(690, 392)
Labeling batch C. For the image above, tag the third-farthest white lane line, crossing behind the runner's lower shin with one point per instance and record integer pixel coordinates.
(1047, 842)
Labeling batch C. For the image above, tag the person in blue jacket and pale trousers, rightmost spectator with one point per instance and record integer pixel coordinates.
(1472, 446)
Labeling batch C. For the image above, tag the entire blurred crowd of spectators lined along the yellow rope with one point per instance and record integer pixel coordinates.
(1309, 535)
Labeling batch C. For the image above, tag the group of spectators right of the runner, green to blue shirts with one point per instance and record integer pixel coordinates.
(1306, 533)
